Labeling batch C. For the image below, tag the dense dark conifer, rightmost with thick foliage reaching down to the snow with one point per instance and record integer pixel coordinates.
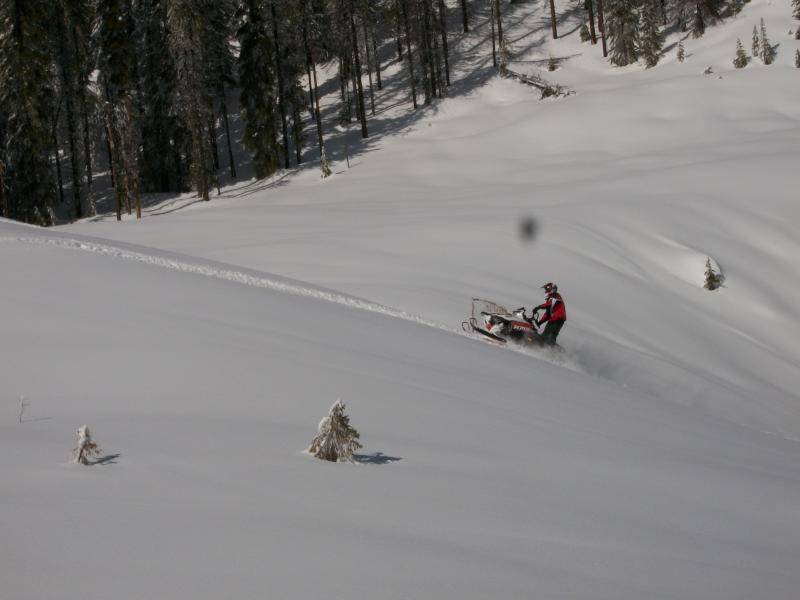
(257, 83)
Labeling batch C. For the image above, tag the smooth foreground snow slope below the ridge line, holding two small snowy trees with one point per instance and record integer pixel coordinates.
(486, 473)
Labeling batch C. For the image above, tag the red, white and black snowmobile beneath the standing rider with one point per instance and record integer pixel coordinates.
(500, 325)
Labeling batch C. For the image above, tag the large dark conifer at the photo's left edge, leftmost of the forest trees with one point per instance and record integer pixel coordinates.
(25, 95)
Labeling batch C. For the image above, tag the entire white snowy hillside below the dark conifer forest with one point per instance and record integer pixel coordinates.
(657, 456)
